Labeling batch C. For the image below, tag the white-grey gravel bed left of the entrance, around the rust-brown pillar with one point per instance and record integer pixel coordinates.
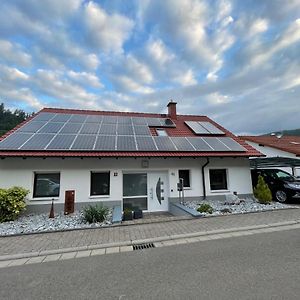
(41, 222)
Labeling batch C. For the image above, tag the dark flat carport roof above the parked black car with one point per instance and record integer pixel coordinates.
(273, 162)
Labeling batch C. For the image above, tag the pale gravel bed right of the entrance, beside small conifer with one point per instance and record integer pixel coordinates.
(236, 207)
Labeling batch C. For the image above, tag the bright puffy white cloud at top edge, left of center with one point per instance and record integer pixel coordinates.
(106, 32)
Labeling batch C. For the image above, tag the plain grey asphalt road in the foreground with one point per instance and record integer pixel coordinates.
(261, 266)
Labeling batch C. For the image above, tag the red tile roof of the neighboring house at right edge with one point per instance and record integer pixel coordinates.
(289, 144)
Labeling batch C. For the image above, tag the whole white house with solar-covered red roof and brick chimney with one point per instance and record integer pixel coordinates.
(122, 158)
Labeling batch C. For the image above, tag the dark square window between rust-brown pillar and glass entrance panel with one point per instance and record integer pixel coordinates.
(100, 183)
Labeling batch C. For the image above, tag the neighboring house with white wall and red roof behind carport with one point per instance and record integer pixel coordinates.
(280, 147)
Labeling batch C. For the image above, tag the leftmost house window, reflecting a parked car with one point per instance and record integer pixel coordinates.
(46, 185)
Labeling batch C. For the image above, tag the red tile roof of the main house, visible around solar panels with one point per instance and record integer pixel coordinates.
(181, 130)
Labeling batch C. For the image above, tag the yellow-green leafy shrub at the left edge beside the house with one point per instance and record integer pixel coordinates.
(12, 203)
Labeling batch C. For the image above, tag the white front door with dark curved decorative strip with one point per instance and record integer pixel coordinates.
(157, 191)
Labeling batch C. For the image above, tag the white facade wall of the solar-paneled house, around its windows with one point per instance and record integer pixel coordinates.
(75, 175)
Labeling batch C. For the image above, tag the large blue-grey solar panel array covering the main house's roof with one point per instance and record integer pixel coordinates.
(75, 132)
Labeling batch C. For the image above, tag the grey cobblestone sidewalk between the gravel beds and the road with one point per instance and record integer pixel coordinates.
(87, 237)
